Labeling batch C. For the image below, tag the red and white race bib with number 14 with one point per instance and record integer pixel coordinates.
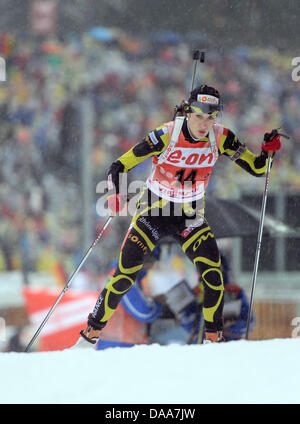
(183, 173)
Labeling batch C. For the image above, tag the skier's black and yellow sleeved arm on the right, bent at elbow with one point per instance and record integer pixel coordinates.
(243, 157)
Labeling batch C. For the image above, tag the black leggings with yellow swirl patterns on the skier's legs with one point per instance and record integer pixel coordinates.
(152, 221)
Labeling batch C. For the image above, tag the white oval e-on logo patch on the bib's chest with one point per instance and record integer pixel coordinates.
(188, 158)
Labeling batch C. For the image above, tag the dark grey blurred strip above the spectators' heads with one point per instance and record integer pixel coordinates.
(221, 23)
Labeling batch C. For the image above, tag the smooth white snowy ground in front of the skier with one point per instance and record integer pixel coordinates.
(235, 372)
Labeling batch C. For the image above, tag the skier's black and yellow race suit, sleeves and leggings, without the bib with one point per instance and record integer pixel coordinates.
(155, 218)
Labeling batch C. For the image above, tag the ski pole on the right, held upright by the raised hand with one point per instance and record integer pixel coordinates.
(260, 231)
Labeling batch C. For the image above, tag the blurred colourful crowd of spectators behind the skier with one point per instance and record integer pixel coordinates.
(132, 86)
